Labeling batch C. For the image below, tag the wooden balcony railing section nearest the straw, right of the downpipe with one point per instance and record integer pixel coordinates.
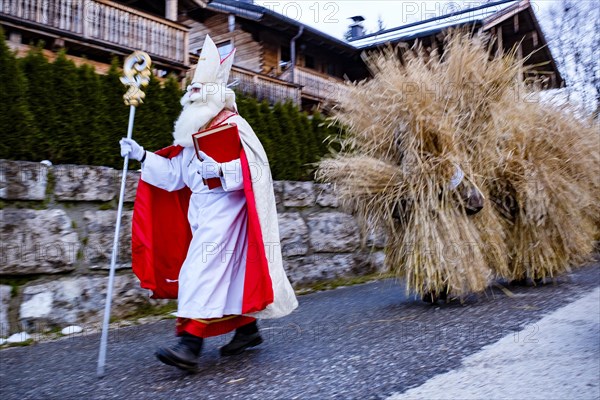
(314, 84)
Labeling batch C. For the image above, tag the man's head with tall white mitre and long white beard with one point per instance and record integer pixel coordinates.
(207, 95)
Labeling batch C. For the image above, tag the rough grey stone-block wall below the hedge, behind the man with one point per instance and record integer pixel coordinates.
(56, 232)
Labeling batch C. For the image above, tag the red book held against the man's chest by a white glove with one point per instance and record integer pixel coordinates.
(222, 143)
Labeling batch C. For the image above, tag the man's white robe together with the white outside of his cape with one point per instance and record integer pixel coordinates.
(211, 280)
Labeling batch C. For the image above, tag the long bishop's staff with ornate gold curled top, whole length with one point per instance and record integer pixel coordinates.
(136, 75)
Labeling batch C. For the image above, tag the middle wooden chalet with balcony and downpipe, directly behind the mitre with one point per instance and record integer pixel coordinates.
(277, 58)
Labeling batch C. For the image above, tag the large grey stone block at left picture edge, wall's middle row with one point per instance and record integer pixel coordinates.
(37, 242)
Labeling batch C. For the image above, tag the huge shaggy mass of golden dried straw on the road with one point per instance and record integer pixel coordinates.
(415, 120)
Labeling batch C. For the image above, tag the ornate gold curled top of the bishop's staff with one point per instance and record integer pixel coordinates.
(136, 73)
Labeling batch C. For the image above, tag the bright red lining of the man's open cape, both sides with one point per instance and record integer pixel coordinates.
(161, 236)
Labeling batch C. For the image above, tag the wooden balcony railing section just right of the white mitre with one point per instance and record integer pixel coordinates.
(264, 87)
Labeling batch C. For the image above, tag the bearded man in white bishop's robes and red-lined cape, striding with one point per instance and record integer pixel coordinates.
(216, 250)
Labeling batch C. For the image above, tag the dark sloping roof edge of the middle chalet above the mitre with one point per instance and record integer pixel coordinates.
(281, 23)
